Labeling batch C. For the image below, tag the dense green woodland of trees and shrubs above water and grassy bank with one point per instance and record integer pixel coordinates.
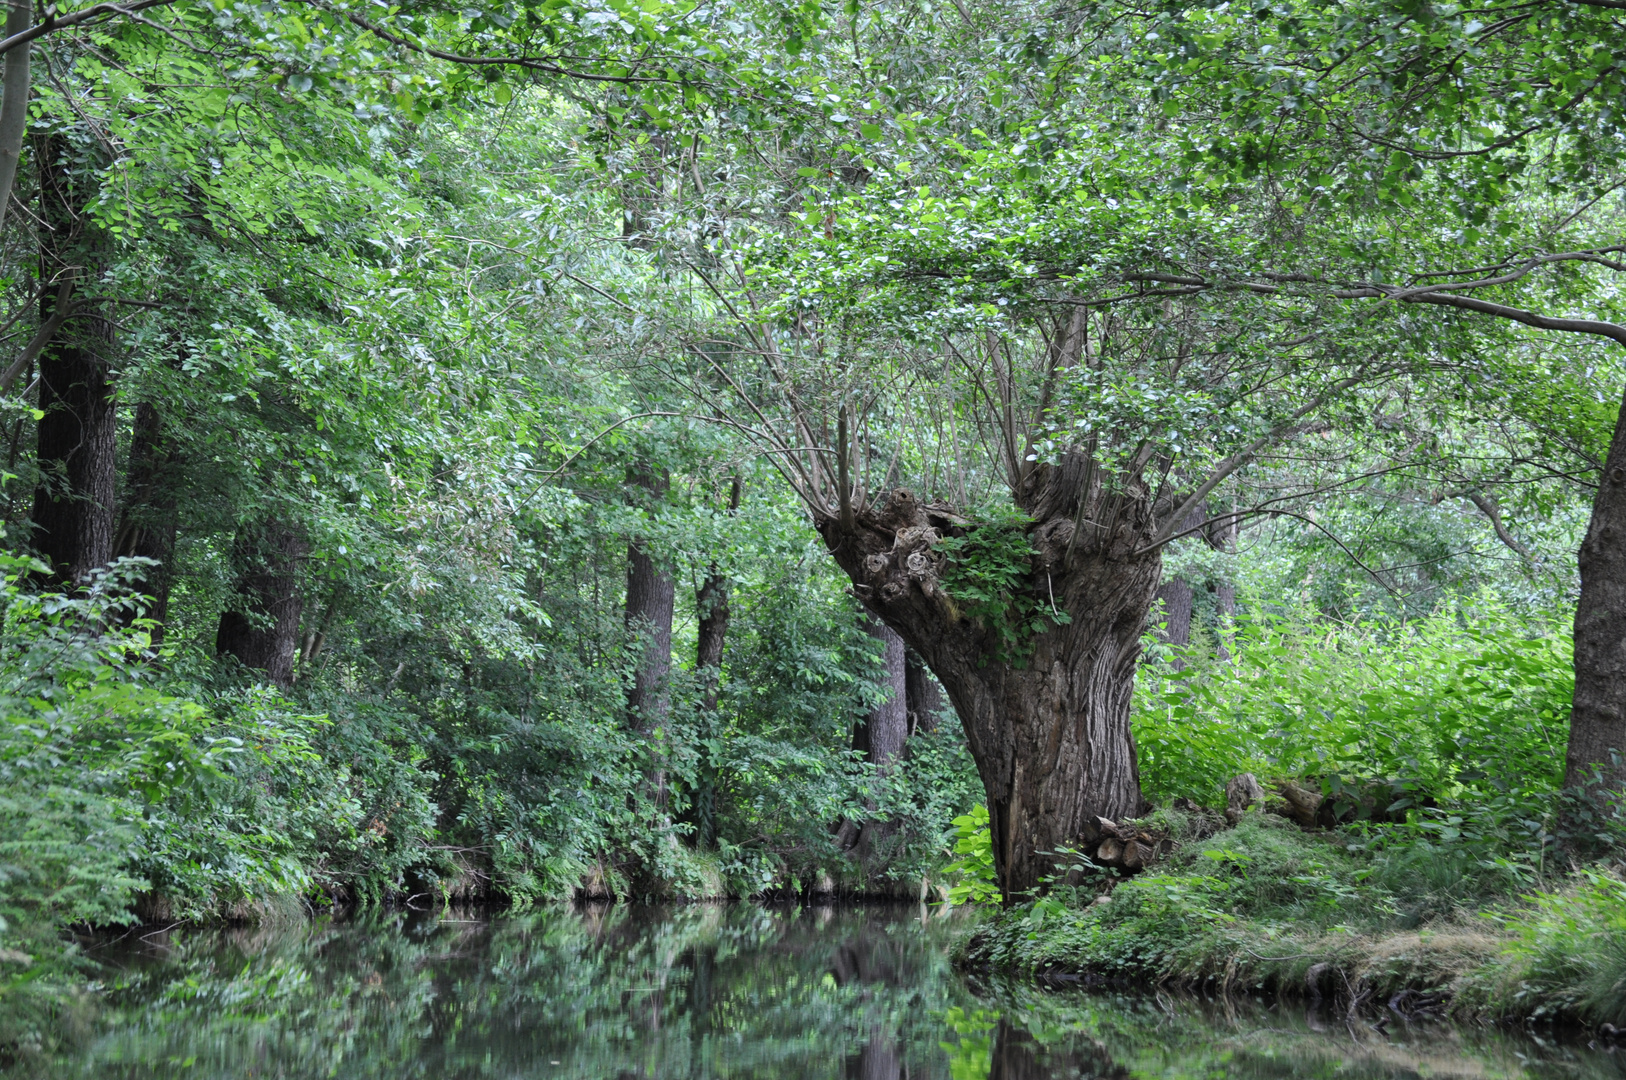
(641, 450)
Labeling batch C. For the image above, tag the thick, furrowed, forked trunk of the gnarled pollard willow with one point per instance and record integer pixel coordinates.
(1048, 728)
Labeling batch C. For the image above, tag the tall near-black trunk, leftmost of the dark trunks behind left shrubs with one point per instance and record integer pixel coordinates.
(74, 503)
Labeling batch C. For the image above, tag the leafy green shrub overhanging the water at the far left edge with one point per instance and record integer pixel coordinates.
(85, 749)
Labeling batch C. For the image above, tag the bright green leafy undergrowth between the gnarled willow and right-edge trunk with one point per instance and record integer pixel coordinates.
(1459, 718)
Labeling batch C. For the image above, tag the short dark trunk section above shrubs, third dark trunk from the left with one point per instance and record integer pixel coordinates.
(263, 625)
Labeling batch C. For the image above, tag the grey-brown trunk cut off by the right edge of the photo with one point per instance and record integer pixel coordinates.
(1598, 721)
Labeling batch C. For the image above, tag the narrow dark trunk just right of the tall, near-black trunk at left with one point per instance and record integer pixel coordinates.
(147, 526)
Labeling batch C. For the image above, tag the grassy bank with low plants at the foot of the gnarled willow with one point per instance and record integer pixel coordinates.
(1324, 917)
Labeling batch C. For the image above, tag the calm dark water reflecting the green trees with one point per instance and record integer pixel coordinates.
(697, 995)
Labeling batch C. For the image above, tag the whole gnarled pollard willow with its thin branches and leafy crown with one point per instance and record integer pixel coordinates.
(1001, 411)
